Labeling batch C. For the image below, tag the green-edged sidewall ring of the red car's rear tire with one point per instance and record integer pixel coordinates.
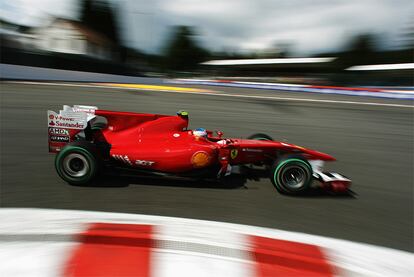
(89, 156)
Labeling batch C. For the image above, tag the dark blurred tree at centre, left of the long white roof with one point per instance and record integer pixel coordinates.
(182, 51)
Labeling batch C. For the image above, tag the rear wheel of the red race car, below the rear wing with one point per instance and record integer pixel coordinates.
(78, 163)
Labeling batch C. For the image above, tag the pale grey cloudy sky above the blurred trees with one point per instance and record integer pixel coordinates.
(308, 26)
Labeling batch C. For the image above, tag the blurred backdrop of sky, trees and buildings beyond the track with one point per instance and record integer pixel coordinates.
(366, 42)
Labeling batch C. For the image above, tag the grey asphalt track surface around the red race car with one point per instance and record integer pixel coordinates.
(373, 145)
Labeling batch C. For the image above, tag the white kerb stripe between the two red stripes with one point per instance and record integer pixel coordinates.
(200, 250)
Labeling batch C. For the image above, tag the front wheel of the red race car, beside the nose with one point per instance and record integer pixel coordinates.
(291, 175)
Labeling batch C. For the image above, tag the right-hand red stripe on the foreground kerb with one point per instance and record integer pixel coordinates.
(275, 257)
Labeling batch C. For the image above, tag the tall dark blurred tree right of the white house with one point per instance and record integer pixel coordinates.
(99, 16)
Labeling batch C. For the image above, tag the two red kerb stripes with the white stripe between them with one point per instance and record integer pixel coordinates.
(110, 249)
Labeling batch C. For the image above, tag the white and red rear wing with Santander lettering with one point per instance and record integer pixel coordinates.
(65, 125)
